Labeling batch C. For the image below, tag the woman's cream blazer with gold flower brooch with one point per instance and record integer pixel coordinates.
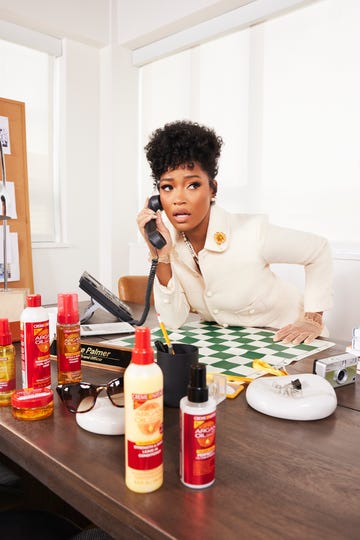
(237, 286)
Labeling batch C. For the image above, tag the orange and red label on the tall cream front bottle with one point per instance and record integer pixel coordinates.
(146, 451)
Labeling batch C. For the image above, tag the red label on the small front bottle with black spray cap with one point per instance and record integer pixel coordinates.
(198, 449)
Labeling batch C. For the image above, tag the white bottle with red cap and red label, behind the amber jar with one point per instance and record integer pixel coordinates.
(35, 344)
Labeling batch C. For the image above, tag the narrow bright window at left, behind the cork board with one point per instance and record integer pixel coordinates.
(27, 75)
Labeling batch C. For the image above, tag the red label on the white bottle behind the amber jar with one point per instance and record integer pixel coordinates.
(35, 354)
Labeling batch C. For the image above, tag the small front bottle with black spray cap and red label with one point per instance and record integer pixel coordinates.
(197, 432)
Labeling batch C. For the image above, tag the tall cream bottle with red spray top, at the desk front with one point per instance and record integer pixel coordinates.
(143, 398)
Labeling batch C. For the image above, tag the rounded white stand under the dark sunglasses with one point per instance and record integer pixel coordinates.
(104, 418)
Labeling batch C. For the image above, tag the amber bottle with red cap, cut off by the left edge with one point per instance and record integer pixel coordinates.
(7, 364)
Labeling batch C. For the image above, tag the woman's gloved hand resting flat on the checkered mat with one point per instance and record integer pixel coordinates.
(305, 330)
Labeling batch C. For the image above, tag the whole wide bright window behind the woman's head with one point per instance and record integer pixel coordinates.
(284, 96)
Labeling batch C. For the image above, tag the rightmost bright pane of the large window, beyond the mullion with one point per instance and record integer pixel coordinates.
(311, 114)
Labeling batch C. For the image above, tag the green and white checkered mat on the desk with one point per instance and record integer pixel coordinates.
(231, 350)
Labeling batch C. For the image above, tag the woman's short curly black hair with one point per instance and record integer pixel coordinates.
(183, 143)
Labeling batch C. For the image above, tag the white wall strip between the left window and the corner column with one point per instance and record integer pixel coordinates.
(58, 268)
